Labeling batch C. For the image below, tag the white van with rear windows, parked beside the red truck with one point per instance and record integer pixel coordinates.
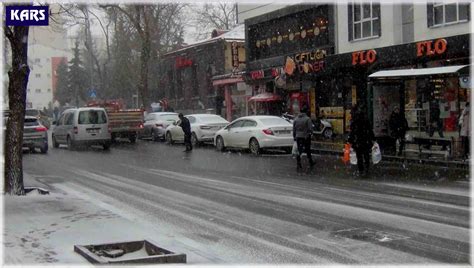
(82, 126)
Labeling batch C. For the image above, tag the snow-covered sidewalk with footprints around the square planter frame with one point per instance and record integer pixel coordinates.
(43, 229)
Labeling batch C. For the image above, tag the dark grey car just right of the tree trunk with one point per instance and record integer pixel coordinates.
(35, 135)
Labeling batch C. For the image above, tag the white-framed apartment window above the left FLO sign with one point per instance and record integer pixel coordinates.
(364, 20)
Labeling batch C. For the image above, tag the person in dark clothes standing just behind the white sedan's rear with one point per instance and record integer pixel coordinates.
(302, 131)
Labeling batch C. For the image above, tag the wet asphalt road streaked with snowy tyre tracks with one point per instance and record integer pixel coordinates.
(248, 209)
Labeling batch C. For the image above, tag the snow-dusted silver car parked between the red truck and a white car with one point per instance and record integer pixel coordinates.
(156, 123)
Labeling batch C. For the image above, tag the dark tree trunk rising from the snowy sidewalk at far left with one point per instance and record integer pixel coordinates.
(18, 81)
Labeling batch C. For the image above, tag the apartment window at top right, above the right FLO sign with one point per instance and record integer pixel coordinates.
(445, 13)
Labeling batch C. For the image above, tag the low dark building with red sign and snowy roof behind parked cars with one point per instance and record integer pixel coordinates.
(205, 77)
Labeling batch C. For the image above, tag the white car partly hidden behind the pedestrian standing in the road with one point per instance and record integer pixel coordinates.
(203, 128)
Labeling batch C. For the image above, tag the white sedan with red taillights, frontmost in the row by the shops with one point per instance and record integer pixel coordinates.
(256, 133)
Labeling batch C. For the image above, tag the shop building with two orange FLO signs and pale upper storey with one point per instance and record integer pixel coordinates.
(362, 39)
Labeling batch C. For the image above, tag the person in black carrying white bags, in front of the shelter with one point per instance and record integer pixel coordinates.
(361, 138)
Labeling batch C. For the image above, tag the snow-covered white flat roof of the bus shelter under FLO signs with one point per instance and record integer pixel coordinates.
(460, 69)
